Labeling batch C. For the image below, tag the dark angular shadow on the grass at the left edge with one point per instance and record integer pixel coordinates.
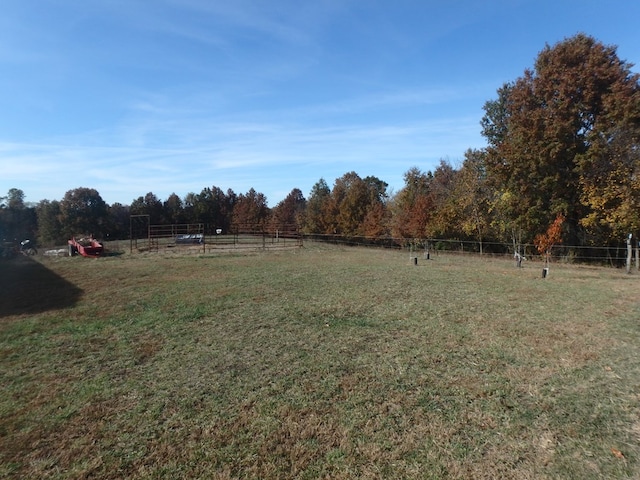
(28, 287)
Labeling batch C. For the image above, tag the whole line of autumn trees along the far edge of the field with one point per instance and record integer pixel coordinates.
(563, 141)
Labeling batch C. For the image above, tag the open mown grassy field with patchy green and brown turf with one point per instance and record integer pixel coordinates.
(319, 362)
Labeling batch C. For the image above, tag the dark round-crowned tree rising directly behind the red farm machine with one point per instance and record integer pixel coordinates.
(83, 212)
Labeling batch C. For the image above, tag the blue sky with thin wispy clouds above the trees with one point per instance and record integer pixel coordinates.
(172, 96)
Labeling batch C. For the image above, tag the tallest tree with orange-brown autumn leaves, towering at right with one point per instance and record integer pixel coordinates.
(563, 137)
